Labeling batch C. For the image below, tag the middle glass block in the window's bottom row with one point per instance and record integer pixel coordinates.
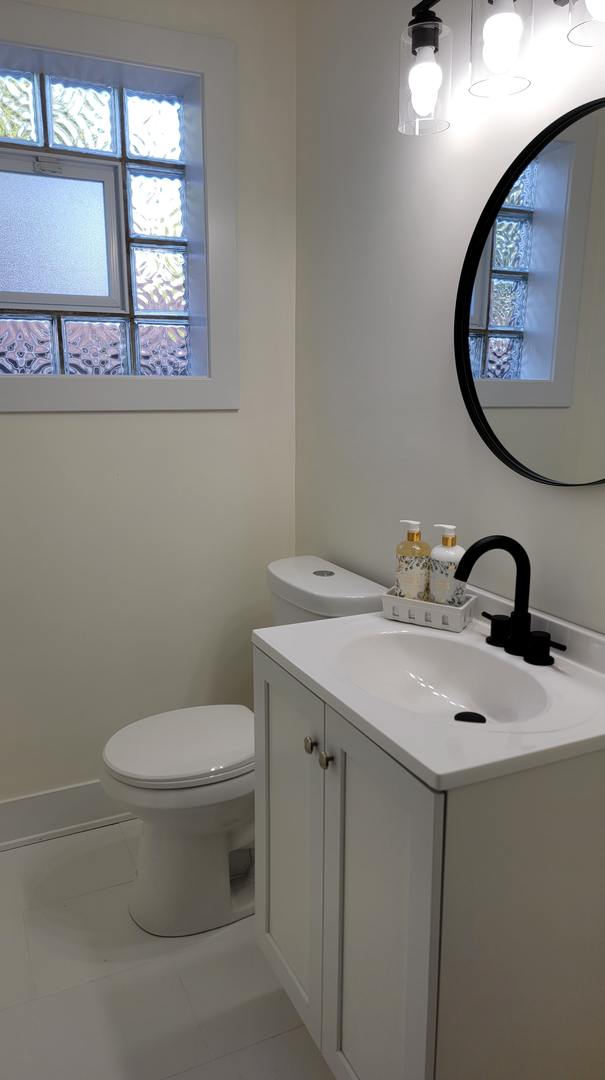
(96, 347)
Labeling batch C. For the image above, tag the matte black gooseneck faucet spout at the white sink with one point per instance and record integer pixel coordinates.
(518, 626)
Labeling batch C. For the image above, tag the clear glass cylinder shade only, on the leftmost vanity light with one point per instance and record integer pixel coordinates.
(425, 87)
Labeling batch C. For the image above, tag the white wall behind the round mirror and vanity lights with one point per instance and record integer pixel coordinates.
(384, 224)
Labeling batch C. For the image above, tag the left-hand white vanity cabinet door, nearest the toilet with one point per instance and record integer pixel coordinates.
(290, 835)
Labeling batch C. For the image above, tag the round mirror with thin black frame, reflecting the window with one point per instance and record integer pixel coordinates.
(531, 309)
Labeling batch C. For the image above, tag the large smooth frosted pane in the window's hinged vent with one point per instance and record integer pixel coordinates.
(52, 236)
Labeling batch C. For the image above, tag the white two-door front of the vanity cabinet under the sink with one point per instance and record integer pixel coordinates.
(349, 862)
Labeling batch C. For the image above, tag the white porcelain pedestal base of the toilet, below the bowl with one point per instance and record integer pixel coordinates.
(183, 884)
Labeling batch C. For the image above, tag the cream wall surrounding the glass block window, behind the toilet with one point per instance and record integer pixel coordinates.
(133, 546)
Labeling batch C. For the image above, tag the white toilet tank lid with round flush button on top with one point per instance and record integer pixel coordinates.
(321, 588)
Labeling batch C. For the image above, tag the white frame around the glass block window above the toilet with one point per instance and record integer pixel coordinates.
(201, 71)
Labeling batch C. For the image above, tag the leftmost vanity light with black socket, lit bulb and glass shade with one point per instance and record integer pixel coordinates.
(425, 73)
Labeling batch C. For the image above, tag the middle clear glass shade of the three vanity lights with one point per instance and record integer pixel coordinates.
(501, 38)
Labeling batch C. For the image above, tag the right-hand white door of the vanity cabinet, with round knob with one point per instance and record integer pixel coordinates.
(384, 833)
